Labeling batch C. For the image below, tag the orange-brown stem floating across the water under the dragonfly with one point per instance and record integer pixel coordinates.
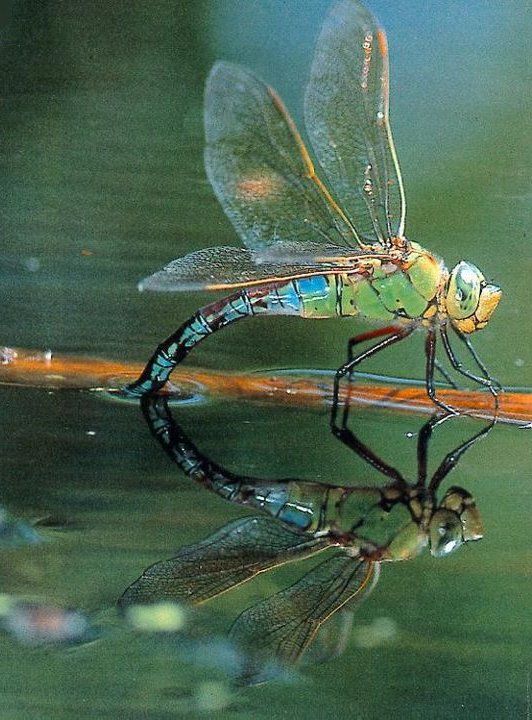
(38, 369)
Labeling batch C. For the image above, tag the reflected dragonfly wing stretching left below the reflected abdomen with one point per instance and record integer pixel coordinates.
(234, 554)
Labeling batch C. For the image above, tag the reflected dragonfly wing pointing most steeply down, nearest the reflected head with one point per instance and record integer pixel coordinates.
(285, 624)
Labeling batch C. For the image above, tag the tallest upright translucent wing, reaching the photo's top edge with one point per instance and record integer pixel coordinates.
(347, 119)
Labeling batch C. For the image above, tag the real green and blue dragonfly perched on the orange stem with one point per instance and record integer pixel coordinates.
(323, 238)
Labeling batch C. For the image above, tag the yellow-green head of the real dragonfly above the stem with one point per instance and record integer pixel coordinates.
(470, 300)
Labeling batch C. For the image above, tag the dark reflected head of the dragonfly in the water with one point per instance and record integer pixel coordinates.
(455, 522)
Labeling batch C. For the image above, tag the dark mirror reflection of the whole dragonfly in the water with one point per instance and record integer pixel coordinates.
(363, 526)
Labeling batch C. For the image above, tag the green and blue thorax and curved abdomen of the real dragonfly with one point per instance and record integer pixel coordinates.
(376, 290)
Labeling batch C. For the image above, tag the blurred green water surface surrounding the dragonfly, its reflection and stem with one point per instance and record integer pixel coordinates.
(102, 182)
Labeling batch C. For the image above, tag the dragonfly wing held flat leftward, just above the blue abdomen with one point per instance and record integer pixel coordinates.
(227, 267)
